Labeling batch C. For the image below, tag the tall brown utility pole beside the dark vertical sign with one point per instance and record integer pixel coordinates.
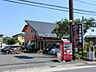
(71, 19)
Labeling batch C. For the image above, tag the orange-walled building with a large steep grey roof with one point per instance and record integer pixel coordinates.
(40, 33)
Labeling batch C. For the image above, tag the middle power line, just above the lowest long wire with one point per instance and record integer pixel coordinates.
(56, 6)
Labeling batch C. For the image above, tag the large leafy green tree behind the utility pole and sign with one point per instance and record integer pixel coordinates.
(62, 28)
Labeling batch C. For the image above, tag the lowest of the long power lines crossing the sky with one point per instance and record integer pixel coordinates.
(47, 7)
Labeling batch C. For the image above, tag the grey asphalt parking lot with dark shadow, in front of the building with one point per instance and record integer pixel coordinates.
(25, 58)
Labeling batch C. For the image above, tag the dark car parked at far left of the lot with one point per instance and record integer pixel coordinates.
(11, 49)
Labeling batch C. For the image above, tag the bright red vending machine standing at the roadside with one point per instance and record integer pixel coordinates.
(66, 50)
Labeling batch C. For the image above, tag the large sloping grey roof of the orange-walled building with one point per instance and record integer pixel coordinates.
(43, 29)
